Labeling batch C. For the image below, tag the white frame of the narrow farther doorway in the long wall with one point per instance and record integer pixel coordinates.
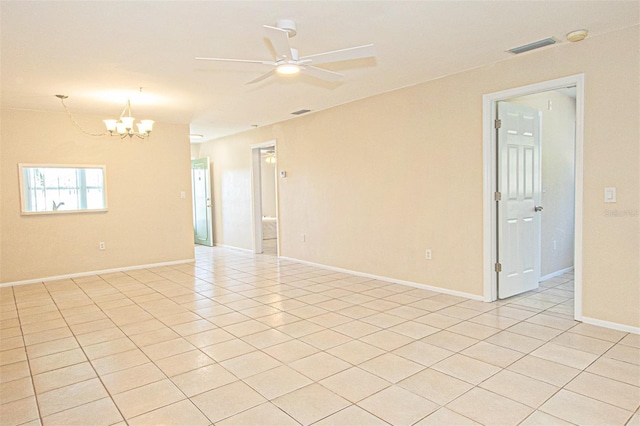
(256, 196)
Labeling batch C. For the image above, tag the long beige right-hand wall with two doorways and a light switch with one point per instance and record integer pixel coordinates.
(374, 183)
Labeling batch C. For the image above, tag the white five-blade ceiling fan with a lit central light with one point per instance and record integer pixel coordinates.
(288, 62)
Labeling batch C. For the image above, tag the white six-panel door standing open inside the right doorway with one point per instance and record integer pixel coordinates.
(519, 182)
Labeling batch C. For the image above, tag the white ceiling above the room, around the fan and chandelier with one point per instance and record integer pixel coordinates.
(100, 52)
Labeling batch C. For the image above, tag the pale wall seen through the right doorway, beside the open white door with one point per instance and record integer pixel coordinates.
(558, 159)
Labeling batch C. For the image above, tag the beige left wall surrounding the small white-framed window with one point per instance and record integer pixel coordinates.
(147, 221)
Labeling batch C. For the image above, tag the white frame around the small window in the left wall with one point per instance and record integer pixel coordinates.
(80, 186)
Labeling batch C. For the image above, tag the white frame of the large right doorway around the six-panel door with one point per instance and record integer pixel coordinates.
(490, 165)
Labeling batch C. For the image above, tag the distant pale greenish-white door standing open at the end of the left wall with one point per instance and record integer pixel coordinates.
(202, 224)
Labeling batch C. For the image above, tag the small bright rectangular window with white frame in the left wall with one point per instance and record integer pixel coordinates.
(62, 189)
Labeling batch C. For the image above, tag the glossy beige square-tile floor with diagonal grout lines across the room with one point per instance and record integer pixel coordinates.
(237, 339)
